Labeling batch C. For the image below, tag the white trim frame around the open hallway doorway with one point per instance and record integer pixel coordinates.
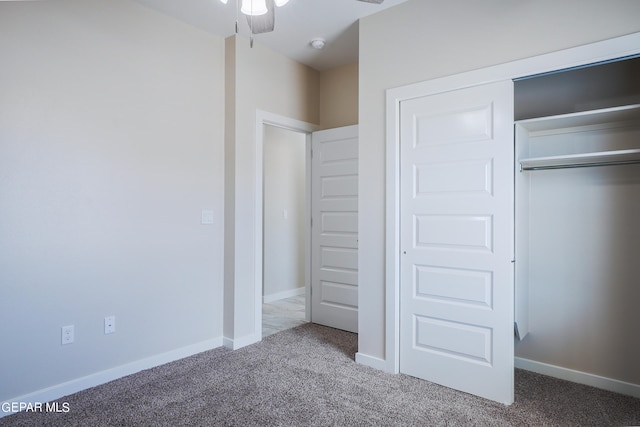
(271, 119)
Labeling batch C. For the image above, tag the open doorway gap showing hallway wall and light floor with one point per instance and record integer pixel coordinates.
(284, 229)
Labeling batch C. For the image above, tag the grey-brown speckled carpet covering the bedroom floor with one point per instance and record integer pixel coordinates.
(307, 376)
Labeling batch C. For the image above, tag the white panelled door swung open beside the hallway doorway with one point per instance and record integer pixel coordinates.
(334, 229)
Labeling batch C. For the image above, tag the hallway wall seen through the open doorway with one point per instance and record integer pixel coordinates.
(284, 201)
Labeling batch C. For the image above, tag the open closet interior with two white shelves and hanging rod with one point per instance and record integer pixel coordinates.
(577, 216)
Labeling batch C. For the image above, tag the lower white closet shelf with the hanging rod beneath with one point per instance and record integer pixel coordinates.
(602, 158)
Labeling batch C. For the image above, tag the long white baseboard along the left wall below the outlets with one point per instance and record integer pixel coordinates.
(57, 391)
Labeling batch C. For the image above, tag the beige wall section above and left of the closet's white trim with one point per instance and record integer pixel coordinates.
(418, 41)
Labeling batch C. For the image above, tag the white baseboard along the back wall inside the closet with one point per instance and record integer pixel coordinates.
(579, 377)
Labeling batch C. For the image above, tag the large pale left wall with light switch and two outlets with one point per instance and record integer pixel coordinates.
(110, 146)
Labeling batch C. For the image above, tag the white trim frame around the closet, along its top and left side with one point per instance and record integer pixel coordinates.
(607, 50)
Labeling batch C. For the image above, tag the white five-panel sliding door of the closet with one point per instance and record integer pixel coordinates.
(456, 213)
